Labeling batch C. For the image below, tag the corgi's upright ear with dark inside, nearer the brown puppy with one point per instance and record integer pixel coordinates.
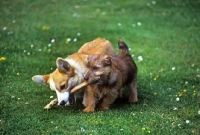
(63, 65)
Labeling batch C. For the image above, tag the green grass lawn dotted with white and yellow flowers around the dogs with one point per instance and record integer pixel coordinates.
(168, 86)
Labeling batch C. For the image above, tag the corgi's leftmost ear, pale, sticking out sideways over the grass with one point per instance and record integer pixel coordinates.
(41, 79)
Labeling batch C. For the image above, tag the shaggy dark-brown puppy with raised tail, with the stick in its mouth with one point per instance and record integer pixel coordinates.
(106, 76)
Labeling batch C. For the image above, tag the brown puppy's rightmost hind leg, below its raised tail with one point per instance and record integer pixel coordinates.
(133, 92)
